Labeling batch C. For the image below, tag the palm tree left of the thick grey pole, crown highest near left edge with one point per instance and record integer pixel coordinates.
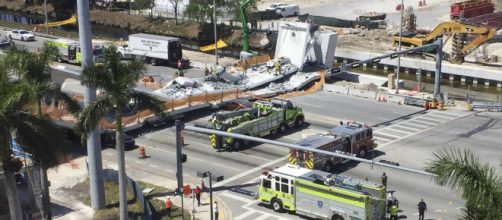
(35, 85)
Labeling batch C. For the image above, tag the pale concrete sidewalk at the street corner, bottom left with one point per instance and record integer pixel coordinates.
(68, 174)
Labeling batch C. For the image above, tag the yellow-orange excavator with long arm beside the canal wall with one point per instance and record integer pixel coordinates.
(460, 45)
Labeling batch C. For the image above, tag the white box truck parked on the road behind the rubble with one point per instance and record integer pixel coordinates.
(155, 50)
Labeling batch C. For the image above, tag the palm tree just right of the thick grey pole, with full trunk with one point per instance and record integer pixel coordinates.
(116, 80)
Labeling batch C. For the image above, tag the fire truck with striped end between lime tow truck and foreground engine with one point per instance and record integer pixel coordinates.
(351, 138)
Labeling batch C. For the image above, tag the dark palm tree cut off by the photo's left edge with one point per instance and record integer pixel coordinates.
(17, 122)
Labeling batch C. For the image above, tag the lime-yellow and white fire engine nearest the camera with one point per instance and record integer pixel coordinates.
(321, 195)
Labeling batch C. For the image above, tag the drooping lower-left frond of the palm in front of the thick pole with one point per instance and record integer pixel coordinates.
(89, 118)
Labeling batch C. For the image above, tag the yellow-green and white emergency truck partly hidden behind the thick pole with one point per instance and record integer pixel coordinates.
(69, 51)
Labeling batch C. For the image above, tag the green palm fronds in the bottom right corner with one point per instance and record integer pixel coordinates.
(479, 184)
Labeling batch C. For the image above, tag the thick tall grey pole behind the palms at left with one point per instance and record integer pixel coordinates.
(93, 141)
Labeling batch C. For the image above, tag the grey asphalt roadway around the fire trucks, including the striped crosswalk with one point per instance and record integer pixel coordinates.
(409, 141)
